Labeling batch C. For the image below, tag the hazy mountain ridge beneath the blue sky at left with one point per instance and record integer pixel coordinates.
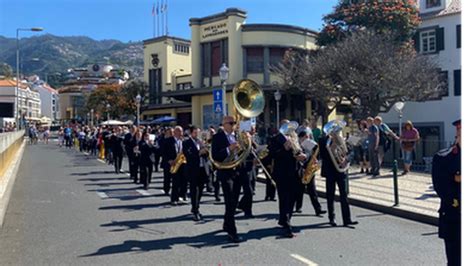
(47, 54)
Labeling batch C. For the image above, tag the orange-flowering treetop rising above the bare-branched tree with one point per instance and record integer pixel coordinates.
(398, 17)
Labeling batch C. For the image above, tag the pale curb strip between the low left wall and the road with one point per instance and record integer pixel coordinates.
(6, 186)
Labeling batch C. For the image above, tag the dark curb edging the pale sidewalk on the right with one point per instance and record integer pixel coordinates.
(392, 210)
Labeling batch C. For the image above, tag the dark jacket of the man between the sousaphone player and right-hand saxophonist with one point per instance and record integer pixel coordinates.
(285, 164)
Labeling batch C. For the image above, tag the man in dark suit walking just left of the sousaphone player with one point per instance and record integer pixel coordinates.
(194, 169)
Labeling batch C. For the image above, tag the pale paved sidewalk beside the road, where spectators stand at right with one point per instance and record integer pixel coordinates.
(417, 199)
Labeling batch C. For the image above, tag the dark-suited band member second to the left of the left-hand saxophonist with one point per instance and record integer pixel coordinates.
(146, 159)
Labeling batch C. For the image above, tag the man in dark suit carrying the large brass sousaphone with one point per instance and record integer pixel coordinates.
(224, 144)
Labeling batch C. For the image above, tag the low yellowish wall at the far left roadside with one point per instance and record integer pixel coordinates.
(9, 144)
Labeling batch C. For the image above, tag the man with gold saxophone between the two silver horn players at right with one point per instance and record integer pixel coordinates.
(309, 146)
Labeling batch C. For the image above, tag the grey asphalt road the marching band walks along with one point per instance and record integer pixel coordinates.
(70, 209)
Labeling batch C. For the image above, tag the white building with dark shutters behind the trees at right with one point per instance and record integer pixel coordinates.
(439, 35)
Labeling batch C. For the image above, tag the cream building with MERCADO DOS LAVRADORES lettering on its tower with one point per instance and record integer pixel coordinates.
(182, 74)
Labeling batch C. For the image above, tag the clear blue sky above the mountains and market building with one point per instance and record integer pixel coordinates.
(131, 20)
